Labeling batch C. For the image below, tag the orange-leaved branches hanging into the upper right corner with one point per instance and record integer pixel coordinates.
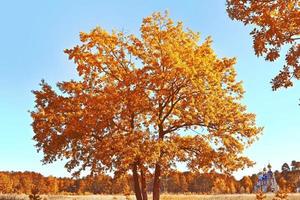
(276, 26)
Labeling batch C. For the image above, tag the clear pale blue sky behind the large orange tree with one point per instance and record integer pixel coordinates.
(34, 34)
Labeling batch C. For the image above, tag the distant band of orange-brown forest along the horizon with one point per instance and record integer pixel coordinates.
(176, 182)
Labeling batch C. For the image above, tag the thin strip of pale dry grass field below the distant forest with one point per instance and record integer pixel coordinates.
(163, 197)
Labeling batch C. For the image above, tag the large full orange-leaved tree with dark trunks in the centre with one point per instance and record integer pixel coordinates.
(144, 103)
